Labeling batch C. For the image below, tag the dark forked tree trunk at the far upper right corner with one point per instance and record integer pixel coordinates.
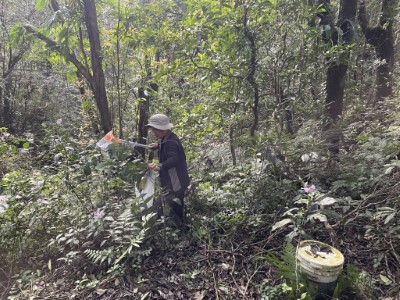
(382, 38)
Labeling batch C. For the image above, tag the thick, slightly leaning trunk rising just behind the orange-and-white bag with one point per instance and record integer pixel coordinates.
(98, 81)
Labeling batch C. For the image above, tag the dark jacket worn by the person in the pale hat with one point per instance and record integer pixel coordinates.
(172, 162)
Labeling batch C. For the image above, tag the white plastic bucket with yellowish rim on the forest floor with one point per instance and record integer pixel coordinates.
(322, 264)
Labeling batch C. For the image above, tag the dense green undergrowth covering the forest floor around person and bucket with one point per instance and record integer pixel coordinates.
(71, 226)
